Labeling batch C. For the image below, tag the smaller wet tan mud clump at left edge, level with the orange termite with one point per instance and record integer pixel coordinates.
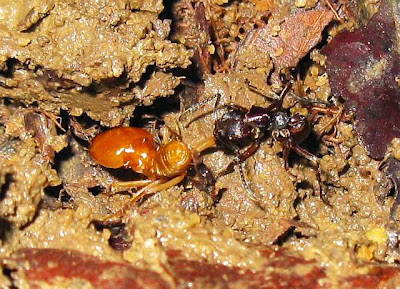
(28, 144)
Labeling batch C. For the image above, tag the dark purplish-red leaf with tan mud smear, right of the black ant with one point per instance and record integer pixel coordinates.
(364, 68)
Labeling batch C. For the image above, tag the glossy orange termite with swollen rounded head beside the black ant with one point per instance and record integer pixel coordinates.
(131, 147)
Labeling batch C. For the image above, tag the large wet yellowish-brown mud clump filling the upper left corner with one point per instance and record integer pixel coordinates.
(88, 56)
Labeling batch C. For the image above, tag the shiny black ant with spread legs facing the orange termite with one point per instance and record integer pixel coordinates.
(241, 131)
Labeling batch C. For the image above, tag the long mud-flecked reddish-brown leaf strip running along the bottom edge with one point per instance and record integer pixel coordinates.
(281, 269)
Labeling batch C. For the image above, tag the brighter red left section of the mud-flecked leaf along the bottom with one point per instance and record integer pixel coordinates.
(46, 266)
